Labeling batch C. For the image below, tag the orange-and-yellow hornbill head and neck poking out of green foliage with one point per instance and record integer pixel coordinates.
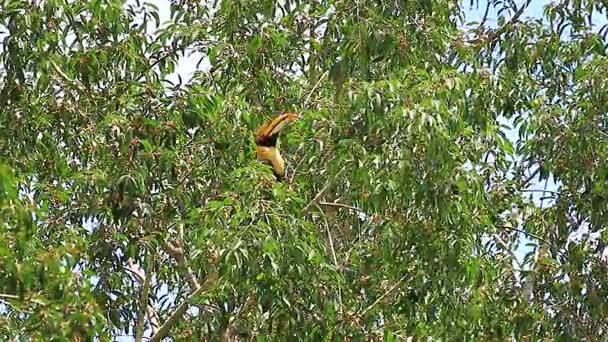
(266, 142)
